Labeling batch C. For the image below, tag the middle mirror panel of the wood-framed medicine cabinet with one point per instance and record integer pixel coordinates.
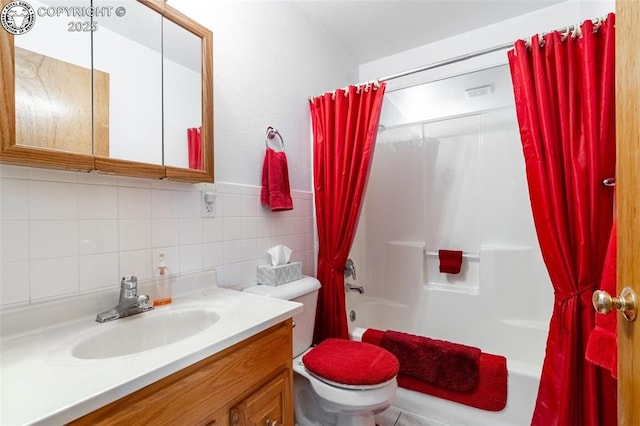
(128, 49)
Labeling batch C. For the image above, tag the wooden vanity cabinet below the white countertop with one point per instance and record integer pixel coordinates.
(249, 383)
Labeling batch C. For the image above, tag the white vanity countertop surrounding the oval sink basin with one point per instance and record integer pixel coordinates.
(41, 382)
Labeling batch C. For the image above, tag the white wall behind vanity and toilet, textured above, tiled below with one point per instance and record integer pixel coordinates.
(65, 233)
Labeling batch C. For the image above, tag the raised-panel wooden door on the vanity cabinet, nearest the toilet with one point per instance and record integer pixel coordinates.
(265, 407)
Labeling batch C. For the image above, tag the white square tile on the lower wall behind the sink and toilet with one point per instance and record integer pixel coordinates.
(66, 234)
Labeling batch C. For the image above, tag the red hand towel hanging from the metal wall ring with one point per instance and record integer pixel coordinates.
(275, 181)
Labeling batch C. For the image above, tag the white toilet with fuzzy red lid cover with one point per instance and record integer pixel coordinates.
(345, 383)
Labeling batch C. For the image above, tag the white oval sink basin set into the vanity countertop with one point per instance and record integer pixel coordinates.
(144, 331)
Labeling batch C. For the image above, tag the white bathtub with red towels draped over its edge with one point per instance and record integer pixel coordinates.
(524, 371)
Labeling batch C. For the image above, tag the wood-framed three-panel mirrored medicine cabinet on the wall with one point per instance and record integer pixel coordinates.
(132, 101)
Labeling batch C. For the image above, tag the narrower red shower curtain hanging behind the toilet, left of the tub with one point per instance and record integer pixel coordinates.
(345, 126)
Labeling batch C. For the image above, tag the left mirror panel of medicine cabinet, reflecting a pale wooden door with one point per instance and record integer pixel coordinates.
(53, 87)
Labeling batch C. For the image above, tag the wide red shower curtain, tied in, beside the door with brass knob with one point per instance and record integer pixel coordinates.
(564, 92)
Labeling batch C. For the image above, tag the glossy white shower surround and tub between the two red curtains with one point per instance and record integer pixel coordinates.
(463, 189)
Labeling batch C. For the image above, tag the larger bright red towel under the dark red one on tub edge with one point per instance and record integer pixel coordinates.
(489, 393)
